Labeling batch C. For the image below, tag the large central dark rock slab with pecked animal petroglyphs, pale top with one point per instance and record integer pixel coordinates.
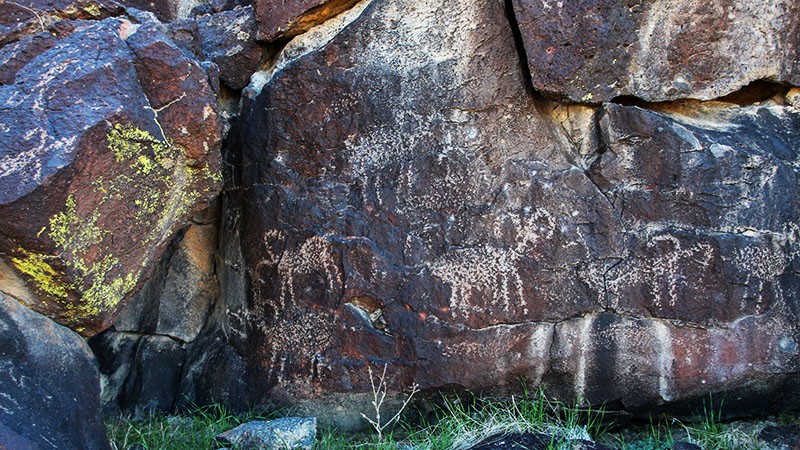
(407, 179)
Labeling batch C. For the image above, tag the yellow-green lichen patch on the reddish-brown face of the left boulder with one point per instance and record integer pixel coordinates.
(156, 183)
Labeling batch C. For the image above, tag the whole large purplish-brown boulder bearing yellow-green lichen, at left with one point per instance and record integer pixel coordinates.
(111, 138)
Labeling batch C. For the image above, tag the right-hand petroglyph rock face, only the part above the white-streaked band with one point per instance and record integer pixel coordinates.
(712, 193)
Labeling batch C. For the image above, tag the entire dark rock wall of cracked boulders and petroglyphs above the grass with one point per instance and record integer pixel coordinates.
(599, 198)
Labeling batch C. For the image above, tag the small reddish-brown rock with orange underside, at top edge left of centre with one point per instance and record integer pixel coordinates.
(279, 19)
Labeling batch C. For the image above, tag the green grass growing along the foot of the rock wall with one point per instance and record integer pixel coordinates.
(456, 424)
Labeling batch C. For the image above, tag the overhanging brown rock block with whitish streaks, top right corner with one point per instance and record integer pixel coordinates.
(658, 50)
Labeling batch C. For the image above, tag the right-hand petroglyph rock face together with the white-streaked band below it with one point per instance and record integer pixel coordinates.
(708, 200)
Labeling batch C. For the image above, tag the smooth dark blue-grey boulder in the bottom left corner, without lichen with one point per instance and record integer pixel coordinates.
(49, 384)
